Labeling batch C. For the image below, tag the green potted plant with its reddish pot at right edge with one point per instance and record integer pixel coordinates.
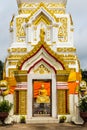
(83, 107)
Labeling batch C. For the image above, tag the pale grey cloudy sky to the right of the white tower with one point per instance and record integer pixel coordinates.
(78, 10)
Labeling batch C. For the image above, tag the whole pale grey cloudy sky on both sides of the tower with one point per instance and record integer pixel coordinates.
(78, 10)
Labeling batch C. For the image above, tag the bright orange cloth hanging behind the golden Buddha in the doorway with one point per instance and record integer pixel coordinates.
(37, 86)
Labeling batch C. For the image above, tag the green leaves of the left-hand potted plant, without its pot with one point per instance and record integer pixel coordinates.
(5, 106)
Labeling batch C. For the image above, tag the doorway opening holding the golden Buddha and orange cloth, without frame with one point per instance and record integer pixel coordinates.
(42, 104)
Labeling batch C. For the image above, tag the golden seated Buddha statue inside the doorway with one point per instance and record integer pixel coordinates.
(42, 96)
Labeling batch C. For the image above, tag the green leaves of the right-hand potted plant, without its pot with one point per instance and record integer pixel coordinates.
(83, 104)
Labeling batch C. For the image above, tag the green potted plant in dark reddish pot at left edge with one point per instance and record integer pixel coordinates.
(5, 107)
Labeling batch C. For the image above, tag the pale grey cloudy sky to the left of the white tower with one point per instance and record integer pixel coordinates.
(7, 9)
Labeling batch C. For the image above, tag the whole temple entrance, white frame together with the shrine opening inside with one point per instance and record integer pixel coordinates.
(33, 103)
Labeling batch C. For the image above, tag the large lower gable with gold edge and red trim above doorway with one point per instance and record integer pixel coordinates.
(41, 54)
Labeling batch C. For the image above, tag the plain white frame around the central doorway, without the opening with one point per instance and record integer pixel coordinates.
(30, 79)
